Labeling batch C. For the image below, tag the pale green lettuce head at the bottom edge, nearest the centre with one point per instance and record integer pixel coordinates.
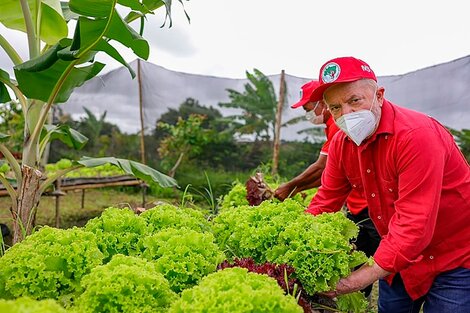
(235, 290)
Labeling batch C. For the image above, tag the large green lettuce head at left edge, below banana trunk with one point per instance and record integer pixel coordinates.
(48, 264)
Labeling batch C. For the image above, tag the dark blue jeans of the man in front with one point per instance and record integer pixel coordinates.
(449, 293)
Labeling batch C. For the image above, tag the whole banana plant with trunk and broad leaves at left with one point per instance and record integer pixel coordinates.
(57, 65)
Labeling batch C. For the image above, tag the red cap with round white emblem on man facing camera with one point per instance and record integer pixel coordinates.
(341, 70)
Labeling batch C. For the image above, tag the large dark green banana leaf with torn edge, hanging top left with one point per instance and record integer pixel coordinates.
(54, 72)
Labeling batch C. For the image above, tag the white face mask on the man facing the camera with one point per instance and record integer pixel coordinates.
(358, 125)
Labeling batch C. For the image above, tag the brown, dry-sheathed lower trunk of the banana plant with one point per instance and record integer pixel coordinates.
(24, 214)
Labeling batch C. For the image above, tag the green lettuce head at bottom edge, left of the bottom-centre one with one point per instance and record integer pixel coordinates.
(125, 284)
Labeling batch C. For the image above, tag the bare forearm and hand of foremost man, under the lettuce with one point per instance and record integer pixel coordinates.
(358, 280)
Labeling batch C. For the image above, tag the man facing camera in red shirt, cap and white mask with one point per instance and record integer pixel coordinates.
(417, 185)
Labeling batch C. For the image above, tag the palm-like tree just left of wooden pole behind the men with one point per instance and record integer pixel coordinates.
(258, 104)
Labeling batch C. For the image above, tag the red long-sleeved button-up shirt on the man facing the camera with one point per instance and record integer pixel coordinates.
(417, 184)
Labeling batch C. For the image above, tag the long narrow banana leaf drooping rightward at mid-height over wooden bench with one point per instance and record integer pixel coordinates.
(133, 168)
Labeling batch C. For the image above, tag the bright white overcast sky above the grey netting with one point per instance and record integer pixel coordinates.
(226, 38)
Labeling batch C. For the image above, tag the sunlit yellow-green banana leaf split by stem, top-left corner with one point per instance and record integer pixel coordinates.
(53, 25)
